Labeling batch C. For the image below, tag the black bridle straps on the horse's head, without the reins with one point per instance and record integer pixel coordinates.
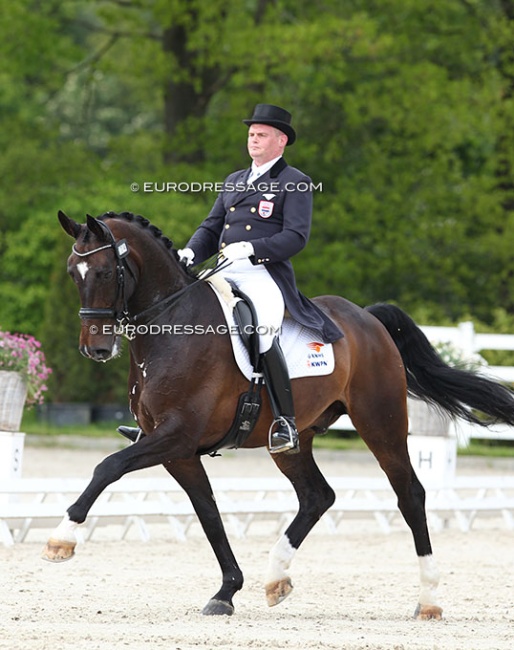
(121, 251)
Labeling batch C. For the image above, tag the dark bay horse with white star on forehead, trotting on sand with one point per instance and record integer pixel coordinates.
(183, 392)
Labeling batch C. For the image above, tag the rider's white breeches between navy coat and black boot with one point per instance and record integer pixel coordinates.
(267, 298)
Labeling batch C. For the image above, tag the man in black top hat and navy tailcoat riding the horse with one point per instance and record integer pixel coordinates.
(261, 218)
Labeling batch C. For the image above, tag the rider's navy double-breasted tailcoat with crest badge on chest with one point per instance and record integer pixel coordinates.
(274, 214)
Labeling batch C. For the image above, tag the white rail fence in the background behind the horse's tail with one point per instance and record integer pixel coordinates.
(464, 336)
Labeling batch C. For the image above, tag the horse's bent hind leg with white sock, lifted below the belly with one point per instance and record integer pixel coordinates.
(315, 497)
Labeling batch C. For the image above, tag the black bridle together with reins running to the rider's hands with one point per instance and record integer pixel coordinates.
(121, 251)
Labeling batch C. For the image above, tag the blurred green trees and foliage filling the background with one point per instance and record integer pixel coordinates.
(404, 111)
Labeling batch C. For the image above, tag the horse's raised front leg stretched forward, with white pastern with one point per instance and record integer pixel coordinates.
(150, 451)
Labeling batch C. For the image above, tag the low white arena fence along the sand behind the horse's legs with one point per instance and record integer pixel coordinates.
(26, 504)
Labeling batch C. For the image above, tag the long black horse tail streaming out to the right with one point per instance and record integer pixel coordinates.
(454, 390)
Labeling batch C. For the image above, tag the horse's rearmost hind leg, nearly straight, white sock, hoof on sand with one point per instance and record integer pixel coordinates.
(390, 449)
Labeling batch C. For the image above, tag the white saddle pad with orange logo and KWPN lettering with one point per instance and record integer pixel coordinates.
(305, 354)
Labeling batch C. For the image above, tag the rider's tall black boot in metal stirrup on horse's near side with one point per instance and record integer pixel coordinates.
(283, 435)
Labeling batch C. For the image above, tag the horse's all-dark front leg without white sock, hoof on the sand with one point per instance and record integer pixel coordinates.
(190, 474)
